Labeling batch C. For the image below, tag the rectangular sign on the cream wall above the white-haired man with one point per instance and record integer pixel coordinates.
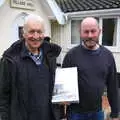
(24, 4)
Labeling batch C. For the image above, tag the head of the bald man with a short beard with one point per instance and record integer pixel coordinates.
(89, 32)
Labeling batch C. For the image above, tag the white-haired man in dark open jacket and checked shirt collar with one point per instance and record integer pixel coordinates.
(27, 75)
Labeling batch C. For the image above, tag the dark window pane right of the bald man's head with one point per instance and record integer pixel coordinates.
(109, 32)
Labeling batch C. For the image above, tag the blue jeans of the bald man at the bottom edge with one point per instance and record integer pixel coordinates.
(86, 116)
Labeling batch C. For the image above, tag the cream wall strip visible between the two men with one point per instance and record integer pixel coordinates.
(60, 35)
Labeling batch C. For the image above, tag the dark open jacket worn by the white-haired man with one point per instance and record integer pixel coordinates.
(16, 67)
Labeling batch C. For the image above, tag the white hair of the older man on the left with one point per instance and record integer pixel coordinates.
(32, 17)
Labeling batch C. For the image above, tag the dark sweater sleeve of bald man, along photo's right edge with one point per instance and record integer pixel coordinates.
(112, 89)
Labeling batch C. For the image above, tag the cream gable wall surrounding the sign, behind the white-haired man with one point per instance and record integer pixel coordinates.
(10, 18)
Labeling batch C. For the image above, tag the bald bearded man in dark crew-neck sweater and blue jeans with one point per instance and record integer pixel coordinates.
(96, 69)
